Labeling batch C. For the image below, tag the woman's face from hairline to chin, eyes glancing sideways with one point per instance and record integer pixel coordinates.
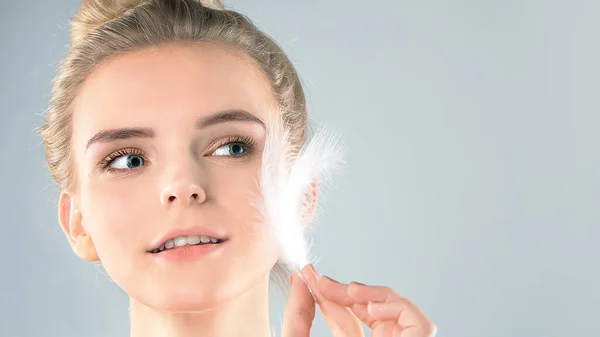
(150, 160)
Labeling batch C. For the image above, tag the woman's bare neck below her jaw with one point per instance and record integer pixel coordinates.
(245, 315)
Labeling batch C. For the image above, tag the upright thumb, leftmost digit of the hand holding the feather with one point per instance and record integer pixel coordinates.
(300, 311)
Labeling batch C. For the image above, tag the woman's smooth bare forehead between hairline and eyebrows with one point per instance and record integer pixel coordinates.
(168, 84)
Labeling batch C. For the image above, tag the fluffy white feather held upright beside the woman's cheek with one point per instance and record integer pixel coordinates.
(286, 176)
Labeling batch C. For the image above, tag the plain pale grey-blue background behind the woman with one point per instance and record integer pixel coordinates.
(472, 187)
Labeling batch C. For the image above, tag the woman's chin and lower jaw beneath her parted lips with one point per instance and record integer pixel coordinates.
(198, 286)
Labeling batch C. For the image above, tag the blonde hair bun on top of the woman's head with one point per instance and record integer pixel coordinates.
(93, 13)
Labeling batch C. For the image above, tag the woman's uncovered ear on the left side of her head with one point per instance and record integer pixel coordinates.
(71, 222)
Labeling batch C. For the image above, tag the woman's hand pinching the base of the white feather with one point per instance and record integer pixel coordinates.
(344, 306)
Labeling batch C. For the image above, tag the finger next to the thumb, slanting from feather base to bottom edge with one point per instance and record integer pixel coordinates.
(340, 319)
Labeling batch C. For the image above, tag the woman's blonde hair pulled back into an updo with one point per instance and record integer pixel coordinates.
(105, 28)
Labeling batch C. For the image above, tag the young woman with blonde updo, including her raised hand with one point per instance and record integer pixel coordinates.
(154, 133)
